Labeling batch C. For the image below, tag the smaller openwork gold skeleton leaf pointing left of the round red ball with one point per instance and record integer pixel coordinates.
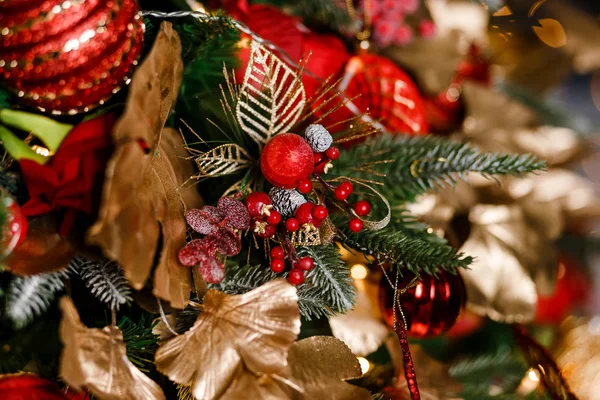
(222, 160)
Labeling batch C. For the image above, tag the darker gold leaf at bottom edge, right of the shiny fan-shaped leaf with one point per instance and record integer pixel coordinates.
(317, 368)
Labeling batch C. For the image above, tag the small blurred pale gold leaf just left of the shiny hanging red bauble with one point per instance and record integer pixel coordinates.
(361, 328)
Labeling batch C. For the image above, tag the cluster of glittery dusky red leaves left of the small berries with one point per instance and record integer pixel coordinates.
(219, 225)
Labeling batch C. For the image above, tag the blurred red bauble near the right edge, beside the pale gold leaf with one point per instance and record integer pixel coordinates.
(572, 290)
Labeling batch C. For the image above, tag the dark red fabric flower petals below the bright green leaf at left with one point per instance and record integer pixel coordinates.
(72, 179)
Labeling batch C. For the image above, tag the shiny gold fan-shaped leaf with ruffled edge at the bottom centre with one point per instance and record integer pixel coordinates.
(253, 330)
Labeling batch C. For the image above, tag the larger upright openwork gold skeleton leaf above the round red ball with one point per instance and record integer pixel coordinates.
(271, 98)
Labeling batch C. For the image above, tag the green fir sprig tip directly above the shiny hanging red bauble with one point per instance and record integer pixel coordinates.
(414, 254)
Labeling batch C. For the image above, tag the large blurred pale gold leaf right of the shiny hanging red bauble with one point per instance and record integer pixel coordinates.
(512, 260)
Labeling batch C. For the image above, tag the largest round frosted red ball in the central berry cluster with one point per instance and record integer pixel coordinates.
(286, 159)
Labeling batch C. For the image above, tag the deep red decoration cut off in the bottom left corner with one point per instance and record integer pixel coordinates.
(32, 387)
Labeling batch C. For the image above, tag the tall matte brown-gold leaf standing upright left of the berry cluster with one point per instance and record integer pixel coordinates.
(143, 195)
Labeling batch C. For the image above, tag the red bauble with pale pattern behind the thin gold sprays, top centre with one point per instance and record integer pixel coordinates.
(387, 95)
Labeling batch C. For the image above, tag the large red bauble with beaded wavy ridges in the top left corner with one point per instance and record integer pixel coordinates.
(68, 56)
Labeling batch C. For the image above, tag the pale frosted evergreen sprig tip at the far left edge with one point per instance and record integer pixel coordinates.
(30, 296)
